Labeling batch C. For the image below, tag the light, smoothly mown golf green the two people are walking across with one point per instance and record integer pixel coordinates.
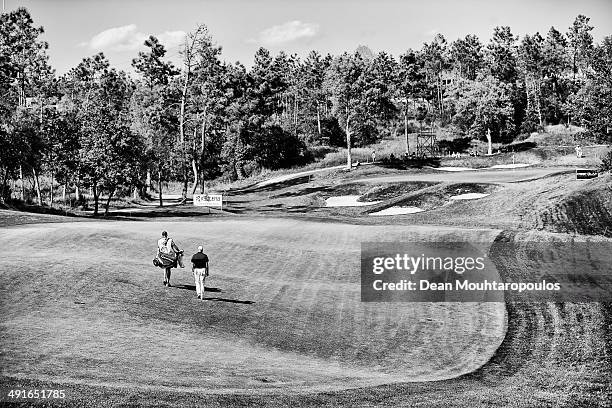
(82, 304)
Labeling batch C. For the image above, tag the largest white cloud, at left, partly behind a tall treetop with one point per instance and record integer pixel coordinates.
(128, 38)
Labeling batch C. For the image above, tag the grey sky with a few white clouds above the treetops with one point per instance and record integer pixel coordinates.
(79, 28)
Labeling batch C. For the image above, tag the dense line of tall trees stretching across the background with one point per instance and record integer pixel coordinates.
(105, 130)
